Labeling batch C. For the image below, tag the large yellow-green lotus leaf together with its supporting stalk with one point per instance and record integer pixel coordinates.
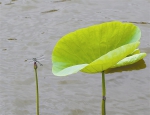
(97, 48)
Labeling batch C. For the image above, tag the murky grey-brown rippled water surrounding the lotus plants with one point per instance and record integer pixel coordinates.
(30, 28)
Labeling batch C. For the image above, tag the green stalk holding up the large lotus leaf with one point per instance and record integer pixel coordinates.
(103, 94)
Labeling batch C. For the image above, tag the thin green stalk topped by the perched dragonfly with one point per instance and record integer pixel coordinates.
(37, 91)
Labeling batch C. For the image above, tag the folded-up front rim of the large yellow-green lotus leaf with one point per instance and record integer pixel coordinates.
(98, 65)
